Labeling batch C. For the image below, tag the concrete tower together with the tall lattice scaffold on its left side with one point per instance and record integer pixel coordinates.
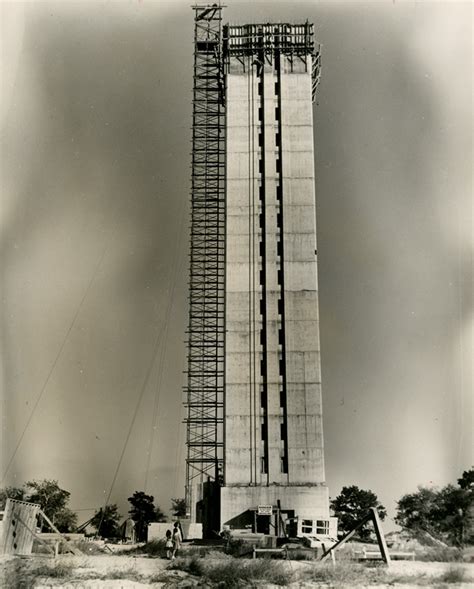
(255, 440)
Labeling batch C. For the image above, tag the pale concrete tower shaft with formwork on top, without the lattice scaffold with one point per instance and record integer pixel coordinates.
(273, 416)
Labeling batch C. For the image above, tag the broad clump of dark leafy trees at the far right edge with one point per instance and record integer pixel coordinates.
(444, 513)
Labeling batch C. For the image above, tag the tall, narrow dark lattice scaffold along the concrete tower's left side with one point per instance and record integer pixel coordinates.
(205, 368)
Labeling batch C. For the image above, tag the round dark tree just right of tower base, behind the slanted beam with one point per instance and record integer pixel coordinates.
(352, 505)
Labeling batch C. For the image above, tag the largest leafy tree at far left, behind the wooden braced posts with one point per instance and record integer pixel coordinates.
(53, 501)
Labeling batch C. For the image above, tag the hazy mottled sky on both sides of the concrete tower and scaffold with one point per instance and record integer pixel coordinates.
(95, 154)
